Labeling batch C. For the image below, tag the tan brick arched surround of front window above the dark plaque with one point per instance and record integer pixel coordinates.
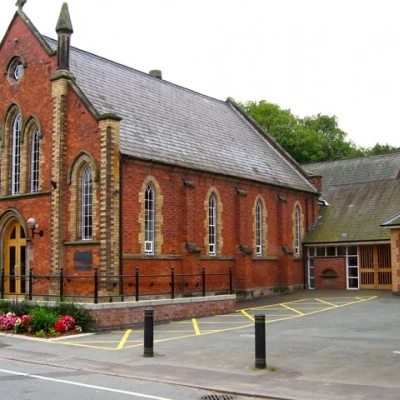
(74, 180)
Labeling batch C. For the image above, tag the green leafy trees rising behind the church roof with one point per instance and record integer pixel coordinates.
(311, 139)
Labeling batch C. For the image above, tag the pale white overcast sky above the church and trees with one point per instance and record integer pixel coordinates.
(334, 57)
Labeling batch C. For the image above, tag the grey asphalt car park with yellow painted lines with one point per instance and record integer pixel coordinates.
(320, 345)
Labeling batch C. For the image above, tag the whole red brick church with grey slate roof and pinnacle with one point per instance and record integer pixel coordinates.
(107, 167)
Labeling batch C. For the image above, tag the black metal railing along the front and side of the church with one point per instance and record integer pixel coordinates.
(61, 287)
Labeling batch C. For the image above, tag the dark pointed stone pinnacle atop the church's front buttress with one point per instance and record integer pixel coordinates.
(64, 31)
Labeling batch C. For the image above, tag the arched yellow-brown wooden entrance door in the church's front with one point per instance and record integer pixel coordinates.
(15, 255)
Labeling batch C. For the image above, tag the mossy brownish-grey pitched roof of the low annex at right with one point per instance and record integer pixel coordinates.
(362, 194)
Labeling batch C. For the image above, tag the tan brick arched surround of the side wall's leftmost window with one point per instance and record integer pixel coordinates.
(158, 222)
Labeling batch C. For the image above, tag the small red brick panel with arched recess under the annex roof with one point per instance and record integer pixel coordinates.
(337, 265)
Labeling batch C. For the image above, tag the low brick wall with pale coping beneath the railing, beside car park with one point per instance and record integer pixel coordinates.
(130, 313)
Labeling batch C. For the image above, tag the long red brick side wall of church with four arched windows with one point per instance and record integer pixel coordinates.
(183, 220)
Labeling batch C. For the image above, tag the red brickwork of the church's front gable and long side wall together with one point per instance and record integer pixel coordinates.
(183, 207)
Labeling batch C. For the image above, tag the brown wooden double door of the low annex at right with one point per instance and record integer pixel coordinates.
(375, 267)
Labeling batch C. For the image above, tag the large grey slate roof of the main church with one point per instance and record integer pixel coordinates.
(166, 123)
